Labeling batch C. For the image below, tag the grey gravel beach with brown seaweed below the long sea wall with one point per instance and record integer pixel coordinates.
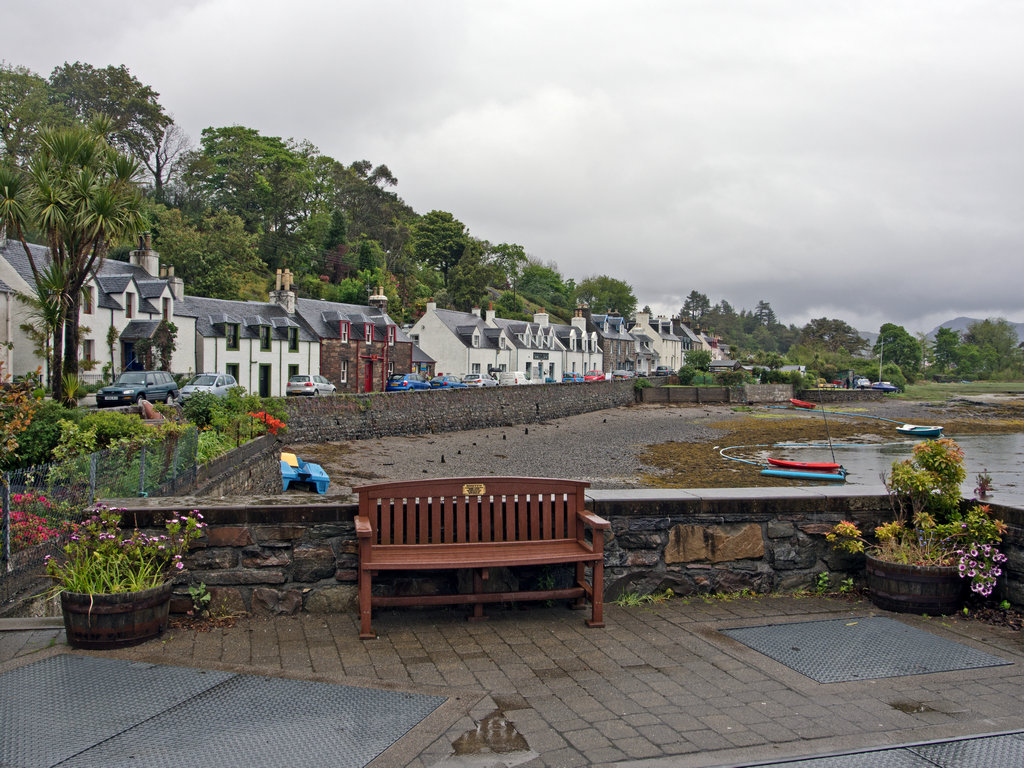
(628, 447)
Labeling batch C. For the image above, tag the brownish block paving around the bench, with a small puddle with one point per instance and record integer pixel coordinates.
(662, 686)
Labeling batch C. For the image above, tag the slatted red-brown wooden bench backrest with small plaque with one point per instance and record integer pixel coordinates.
(473, 510)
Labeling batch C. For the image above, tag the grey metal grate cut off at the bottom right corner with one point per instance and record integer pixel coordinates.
(1002, 750)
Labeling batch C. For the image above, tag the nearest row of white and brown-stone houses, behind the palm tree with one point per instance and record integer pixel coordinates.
(261, 344)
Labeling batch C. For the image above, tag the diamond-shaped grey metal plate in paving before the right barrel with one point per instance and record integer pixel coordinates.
(847, 650)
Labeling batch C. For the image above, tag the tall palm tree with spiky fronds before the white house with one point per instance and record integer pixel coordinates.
(82, 195)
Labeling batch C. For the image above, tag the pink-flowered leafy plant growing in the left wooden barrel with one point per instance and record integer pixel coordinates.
(102, 559)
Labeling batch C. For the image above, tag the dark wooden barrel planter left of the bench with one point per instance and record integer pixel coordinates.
(96, 622)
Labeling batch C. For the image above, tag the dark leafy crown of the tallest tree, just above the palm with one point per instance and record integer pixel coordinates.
(139, 123)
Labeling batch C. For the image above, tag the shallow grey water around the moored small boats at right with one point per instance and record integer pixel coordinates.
(1001, 455)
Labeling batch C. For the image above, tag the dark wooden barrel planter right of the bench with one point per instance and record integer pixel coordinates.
(936, 590)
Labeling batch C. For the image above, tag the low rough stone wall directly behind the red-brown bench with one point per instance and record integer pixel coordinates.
(287, 559)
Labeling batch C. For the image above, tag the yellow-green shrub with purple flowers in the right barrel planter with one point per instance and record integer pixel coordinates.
(932, 527)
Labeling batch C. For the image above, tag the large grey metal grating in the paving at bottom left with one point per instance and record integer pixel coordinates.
(125, 714)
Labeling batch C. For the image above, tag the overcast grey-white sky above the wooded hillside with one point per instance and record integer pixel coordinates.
(852, 160)
